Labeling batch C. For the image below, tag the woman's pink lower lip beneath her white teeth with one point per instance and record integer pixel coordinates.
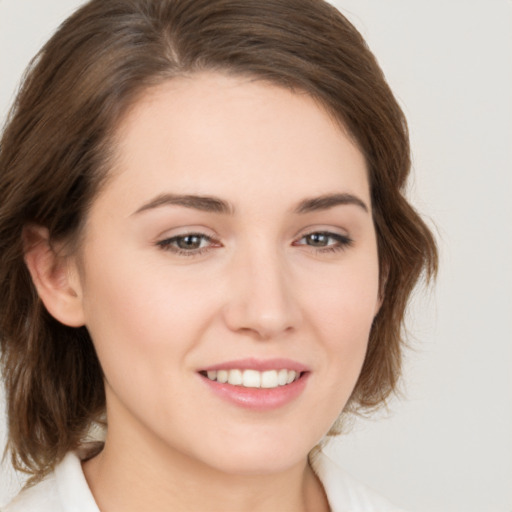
(258, 399)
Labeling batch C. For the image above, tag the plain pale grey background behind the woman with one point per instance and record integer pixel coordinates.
(446, 446)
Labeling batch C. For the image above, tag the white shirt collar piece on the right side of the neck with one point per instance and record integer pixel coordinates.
(344, 492)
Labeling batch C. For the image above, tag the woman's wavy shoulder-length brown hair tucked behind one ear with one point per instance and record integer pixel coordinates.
(55, 151)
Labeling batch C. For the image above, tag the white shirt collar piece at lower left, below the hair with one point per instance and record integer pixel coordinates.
(63, 490)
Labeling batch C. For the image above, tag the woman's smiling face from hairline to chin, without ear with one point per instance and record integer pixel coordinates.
(234, 241)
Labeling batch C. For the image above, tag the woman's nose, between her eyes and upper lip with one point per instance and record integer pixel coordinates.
(262, 300)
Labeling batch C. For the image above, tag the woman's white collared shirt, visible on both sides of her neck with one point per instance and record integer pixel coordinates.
(66, 490)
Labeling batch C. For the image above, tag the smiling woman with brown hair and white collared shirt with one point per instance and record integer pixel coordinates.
(205, 245)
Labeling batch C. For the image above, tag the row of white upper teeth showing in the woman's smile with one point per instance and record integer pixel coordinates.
(253, 378)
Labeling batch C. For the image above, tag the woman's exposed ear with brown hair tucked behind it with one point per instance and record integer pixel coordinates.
(54, 276)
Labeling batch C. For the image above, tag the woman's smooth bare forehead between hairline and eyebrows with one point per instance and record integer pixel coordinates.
(223, 135)
